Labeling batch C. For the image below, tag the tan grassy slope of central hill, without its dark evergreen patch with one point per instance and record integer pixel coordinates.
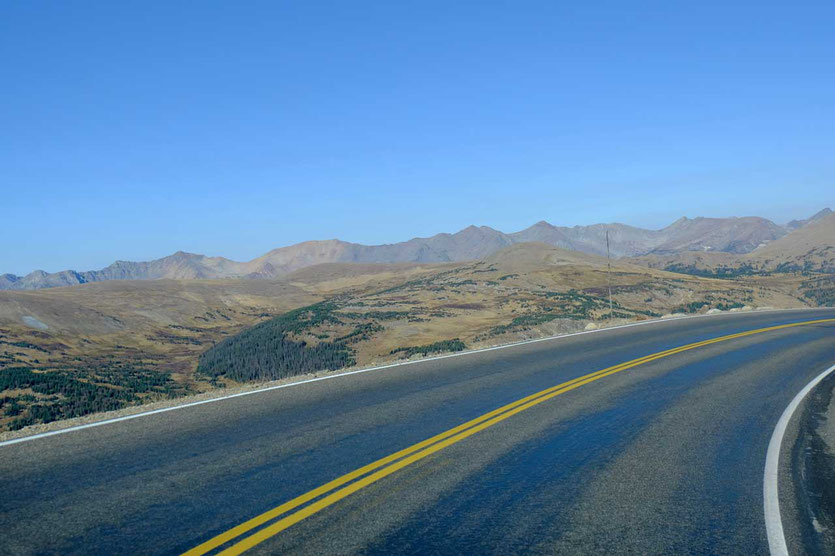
(524, 291)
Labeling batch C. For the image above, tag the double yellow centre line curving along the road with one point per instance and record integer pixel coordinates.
(425, 448)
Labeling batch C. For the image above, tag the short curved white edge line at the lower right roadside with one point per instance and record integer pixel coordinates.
(771, 495)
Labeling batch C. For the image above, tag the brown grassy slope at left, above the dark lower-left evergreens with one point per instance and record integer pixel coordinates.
(163, 323)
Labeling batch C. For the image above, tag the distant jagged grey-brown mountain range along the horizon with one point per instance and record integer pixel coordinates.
(727, 235)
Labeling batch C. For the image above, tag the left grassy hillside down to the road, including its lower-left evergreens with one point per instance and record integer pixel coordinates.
(66, 352)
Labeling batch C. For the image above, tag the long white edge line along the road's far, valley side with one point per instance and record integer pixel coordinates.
(369, 369)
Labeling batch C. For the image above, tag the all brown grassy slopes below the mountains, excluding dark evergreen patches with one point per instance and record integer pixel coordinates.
(110, 332)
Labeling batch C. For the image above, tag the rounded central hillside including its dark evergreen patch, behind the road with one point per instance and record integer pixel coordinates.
(524, 291)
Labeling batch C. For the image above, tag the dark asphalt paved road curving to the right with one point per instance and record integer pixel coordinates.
(663, 456)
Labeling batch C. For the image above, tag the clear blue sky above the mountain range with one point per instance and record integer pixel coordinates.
(133, 129)
